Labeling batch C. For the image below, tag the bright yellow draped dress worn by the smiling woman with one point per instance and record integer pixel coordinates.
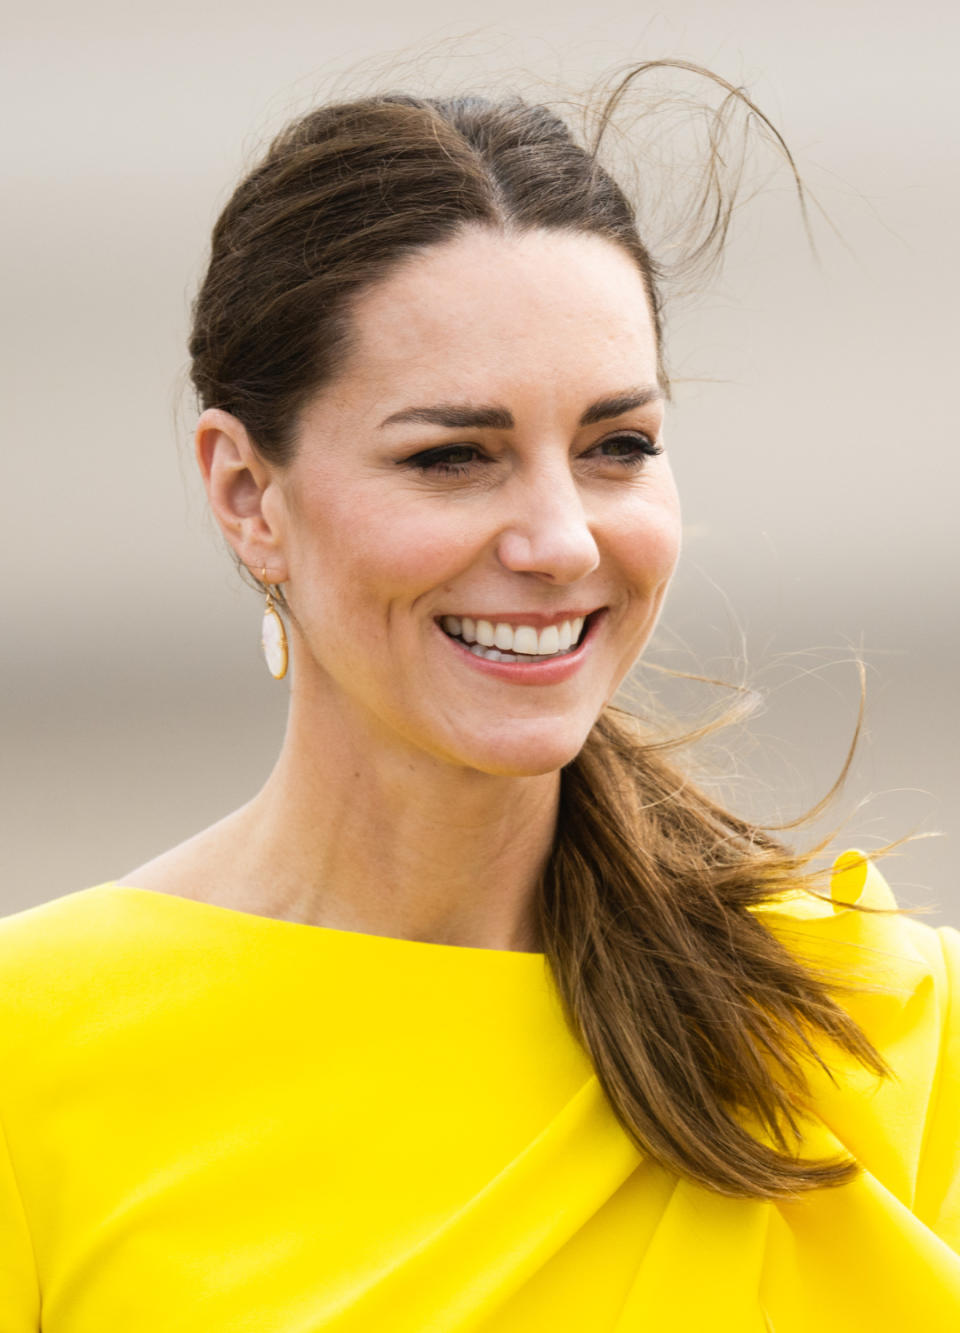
(221, 1123)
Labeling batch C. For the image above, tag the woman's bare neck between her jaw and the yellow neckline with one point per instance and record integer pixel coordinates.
(381, 838)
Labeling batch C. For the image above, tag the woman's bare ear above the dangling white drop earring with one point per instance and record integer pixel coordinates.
(241, 487)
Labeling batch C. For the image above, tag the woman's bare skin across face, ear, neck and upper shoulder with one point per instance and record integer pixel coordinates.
(415, 796)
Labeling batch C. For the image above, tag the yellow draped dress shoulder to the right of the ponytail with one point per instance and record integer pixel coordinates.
(899, 979)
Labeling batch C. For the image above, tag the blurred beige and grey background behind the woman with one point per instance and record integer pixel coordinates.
(813, 433)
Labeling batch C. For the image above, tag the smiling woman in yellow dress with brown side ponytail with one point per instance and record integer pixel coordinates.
(479, 1015)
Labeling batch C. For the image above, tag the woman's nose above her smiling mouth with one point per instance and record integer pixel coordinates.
(549, 531)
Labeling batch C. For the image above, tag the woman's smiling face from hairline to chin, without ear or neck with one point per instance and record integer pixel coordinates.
(486, 465)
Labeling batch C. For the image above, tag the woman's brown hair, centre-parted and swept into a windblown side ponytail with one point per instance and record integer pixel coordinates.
(695, 1016)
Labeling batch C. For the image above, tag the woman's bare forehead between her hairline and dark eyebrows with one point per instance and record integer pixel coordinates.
(489, 311)
